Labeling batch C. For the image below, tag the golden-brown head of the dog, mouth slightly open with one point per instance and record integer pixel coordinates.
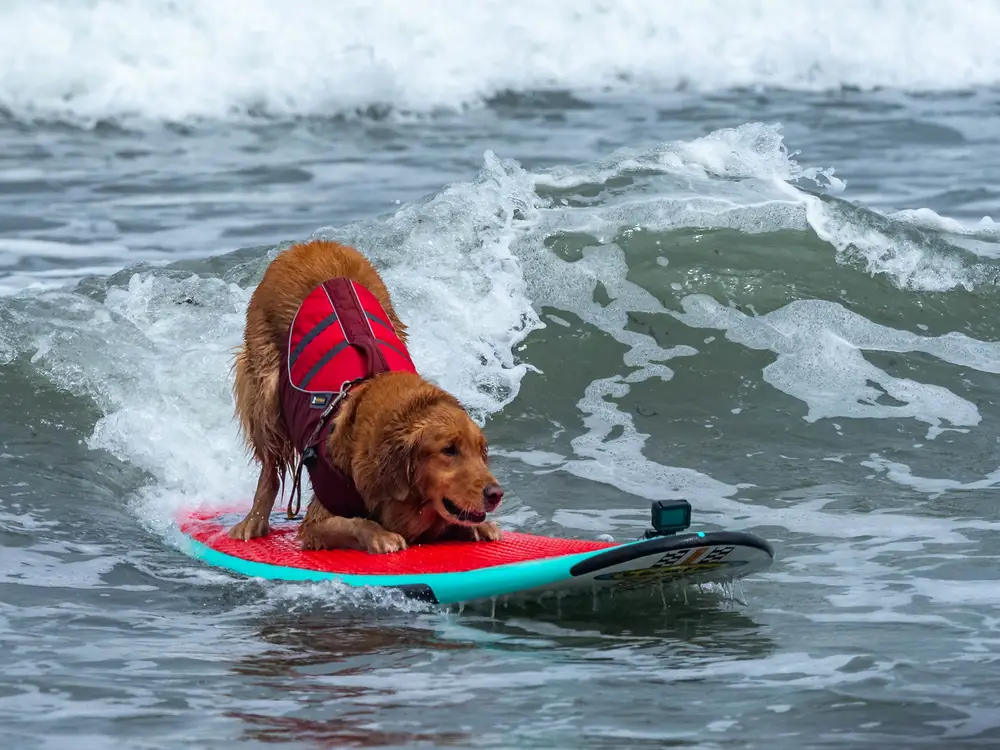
(439, 459)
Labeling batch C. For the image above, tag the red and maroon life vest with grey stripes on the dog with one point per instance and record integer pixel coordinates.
(340, 335)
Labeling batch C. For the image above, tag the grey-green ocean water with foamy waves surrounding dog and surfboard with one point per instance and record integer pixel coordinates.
(742, 253)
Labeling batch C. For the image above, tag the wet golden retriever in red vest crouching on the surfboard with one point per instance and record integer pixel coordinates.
(397, 460)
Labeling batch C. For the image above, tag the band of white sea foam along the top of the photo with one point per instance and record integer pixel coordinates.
(158, 59)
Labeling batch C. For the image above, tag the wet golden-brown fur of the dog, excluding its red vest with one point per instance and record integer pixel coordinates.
(418, 460)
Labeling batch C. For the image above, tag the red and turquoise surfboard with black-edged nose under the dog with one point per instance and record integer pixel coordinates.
(520, 565)
